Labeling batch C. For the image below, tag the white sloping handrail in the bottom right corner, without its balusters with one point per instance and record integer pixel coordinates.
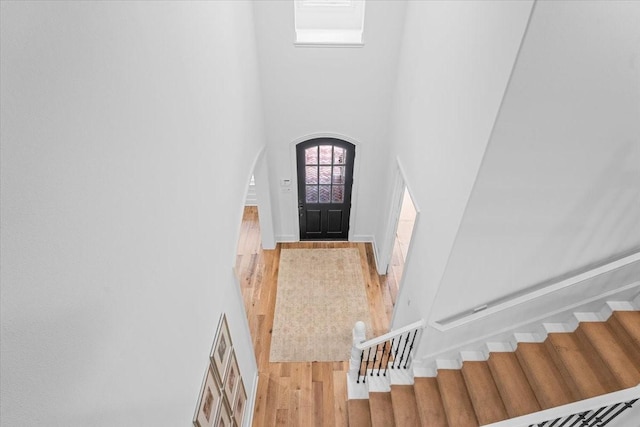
(571, 408)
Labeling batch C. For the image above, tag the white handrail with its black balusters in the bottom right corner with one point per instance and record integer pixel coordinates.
(595, 412)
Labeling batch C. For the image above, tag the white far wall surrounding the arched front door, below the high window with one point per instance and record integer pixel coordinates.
(336, 91)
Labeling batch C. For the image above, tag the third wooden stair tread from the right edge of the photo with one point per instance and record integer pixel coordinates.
(569, 357)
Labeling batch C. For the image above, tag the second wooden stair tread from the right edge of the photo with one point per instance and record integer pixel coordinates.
(612, 353)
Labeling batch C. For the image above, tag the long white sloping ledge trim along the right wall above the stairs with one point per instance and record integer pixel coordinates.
(445, 325)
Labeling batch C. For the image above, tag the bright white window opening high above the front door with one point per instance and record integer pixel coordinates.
(329, 22)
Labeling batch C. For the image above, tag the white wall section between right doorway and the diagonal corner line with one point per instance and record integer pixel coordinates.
(455, 62)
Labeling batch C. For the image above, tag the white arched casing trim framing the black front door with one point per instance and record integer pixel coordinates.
(294, 176)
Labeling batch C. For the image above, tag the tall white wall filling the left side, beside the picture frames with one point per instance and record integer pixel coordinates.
(128, 133)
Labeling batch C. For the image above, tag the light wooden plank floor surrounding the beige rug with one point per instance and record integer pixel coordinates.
(308, 393)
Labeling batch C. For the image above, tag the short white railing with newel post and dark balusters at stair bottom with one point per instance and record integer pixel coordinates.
(393, 350)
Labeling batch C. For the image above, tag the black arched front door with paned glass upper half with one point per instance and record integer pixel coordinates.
(325, 178)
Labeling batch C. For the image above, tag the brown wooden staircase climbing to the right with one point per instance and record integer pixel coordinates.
(597, 358)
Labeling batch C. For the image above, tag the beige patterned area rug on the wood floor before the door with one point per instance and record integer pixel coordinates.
(321, 294)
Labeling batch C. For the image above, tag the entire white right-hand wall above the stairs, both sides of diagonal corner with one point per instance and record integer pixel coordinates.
(556, 190)
